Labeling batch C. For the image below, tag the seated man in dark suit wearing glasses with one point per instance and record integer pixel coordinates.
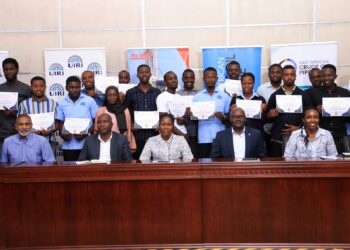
(238, 141)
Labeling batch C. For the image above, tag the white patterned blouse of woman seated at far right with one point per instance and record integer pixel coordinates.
(299, 146)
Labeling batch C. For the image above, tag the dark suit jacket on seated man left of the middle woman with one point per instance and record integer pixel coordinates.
(120, 149)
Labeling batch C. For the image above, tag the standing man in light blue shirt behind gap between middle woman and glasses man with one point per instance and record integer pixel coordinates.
(207, 129)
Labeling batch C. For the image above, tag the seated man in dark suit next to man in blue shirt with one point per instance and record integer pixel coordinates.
(105, 145)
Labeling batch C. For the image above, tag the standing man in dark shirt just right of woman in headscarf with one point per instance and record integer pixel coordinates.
(142, 98)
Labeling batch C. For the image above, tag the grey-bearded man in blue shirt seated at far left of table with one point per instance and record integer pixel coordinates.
(26, 146)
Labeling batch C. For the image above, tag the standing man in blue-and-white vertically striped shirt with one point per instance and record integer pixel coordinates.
(39, 103)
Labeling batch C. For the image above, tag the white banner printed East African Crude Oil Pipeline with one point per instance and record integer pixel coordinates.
(304, 57)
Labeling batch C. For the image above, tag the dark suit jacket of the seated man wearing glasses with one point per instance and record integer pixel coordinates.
(254, 144)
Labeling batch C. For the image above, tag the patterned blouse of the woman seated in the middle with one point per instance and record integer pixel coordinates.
(173, 149)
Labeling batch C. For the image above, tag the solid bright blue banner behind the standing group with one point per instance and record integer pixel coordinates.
(248, 57)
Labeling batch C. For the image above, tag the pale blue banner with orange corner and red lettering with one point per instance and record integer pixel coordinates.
(160, 60)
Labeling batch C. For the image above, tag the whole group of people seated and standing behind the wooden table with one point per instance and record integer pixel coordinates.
(228, 133)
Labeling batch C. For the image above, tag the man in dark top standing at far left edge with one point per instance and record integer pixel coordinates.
(7, 115)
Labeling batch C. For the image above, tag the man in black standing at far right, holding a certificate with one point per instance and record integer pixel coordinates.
(334, 124)
